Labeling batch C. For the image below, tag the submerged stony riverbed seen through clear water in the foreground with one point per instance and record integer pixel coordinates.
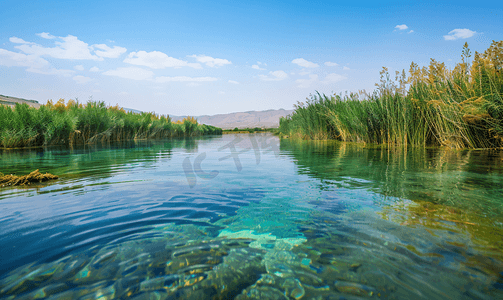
(220, 268)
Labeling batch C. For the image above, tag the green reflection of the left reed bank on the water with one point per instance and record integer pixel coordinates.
(98, 160)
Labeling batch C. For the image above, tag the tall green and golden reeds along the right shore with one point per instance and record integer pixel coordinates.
(432, 106)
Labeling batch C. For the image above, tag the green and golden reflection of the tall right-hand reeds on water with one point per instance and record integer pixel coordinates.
(467, 179)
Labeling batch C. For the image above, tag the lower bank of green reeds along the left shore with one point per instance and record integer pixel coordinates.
(74, 123)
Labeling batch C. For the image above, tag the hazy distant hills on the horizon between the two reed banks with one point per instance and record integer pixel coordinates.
(247, 119)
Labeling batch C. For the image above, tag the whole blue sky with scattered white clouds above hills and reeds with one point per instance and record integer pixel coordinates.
(210, 57)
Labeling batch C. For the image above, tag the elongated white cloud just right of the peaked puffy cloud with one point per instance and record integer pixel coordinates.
(157, 60)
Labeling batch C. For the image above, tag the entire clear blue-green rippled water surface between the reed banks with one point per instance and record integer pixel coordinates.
(253, 217)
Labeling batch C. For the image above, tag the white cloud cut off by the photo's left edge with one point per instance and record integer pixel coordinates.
(34, 63)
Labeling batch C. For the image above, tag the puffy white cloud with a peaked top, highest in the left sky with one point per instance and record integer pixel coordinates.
(69, 48)
